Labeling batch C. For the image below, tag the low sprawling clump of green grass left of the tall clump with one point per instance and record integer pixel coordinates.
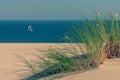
(55, 61)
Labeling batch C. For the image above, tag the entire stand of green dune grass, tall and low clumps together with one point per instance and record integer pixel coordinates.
(101, 37)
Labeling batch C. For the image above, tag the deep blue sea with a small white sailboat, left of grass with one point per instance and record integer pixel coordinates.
(36, 31)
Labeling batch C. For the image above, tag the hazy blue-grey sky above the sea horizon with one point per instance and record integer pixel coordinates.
(53, 9)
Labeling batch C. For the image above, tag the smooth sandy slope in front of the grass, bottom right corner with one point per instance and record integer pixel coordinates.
(108, 71)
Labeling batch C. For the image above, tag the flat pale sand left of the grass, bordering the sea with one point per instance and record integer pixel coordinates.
(8, 61)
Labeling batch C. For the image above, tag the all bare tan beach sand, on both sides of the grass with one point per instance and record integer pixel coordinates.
(9, 63)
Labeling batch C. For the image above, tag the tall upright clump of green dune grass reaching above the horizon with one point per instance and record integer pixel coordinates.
(101, 37)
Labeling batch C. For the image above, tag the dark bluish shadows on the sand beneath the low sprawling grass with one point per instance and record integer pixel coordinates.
(53, 69)
